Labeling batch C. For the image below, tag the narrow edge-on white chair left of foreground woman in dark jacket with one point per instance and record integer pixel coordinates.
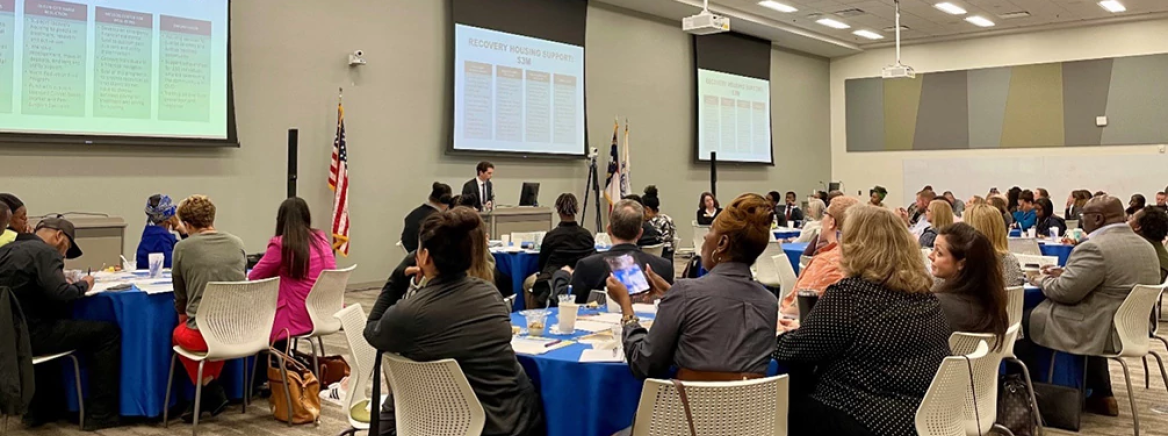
(361, 358)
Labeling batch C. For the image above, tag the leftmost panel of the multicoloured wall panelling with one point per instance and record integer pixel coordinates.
(866, 114)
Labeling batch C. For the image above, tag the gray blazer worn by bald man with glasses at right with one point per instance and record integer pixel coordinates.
(1081, 306)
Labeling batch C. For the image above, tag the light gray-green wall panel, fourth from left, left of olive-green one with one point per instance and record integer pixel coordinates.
(988, 91)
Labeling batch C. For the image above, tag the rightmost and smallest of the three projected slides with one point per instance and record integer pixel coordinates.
(734, 117)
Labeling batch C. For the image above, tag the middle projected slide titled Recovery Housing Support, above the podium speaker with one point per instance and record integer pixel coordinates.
(517, 94)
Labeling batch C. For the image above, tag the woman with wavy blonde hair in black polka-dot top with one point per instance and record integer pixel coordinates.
(838, 387)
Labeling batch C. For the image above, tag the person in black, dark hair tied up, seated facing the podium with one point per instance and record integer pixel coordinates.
(562, 247)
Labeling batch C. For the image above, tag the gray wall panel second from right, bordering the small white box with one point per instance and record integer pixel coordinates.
(1086, 87)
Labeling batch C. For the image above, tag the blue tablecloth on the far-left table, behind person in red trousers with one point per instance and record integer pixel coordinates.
(147, 322)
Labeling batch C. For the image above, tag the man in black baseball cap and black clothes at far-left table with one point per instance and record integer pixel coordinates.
(33, 267)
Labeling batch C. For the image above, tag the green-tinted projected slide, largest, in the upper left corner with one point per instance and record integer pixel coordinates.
(134, 68)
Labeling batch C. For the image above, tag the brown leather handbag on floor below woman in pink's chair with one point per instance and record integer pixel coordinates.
(302, 389)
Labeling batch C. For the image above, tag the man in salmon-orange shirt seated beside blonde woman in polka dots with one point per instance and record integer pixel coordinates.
(825, 268)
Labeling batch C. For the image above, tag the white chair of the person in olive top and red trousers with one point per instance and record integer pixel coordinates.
(235, 320)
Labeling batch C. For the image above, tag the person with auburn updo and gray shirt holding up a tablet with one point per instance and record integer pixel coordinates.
(718, 328)
